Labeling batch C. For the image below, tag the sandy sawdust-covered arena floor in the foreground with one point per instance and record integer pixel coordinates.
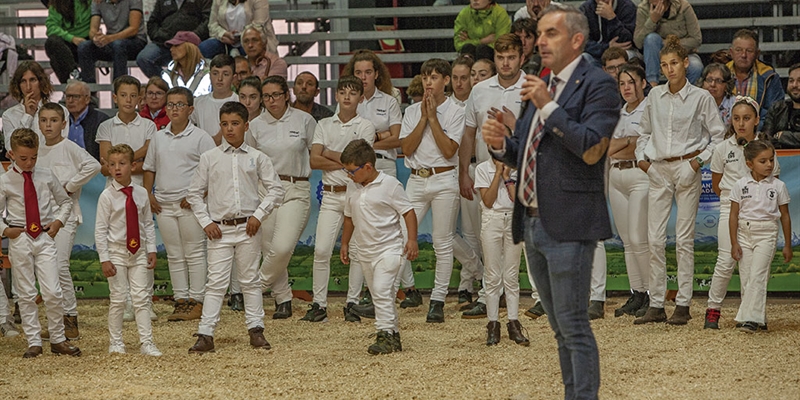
(450, 360)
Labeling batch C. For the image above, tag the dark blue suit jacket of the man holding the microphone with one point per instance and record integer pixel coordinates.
(570, 159)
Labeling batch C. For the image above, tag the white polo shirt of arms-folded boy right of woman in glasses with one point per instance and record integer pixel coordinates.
(335, 135)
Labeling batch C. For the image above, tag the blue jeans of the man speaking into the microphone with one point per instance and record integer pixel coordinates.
(562, 272)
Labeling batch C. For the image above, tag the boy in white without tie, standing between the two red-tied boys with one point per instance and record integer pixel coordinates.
(73, 167)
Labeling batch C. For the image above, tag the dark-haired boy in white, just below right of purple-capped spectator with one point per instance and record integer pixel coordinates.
(206, 107)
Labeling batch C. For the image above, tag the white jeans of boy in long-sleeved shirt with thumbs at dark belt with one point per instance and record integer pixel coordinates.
(245, 250)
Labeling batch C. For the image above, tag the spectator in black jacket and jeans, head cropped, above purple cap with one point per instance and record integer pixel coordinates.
(167, 19)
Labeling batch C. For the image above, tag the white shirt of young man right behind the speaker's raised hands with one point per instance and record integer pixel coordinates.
(484, 96)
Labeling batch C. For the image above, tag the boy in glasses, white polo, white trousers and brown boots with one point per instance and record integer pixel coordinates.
(172, 157)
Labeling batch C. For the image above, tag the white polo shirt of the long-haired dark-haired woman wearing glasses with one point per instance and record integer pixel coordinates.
(286, 141)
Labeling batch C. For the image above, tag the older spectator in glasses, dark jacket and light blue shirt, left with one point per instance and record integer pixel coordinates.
(83, 117)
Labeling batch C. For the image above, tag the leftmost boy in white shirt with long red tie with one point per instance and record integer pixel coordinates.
(36, 207)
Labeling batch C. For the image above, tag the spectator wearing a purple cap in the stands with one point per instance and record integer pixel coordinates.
(188, 68)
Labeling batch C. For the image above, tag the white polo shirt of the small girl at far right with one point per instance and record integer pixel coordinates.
(759, 201)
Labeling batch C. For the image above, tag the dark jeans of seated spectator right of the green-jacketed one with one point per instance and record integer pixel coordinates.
(118, 51)
